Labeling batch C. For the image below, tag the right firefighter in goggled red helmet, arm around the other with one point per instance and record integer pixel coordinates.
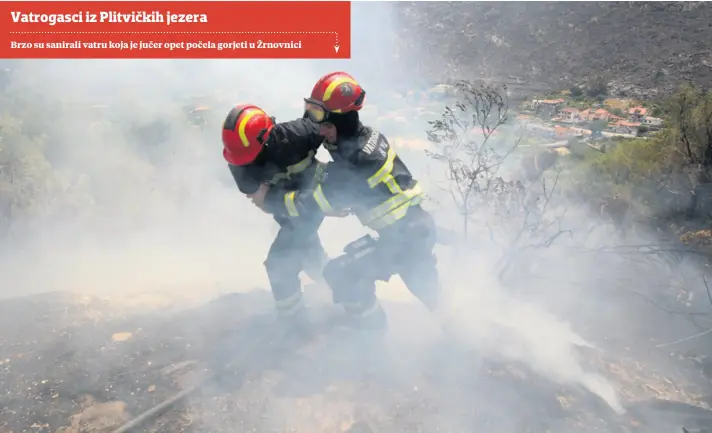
(367, 177)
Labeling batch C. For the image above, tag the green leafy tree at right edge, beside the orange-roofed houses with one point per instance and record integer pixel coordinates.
(666, 170)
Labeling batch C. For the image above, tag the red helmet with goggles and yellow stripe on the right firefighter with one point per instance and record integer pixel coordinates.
(336, 92)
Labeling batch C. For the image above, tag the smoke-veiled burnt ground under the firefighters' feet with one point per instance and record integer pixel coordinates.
(71, 363)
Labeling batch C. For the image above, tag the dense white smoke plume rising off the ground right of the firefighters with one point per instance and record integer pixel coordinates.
(511, 329)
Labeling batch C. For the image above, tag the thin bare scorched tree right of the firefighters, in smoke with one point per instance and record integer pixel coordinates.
(464, 143)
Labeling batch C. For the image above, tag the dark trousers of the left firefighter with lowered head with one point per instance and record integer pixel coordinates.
(296, 248)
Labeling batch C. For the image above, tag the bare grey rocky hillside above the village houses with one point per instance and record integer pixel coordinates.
(634, 45)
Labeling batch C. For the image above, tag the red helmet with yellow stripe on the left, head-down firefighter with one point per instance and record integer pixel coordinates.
(245, 131)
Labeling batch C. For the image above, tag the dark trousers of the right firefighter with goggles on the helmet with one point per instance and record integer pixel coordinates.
(405, 249)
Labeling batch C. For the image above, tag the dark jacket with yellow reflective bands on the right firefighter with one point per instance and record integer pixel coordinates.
(366, 177)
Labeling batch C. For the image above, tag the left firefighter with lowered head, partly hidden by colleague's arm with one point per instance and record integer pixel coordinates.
(261, 152)
